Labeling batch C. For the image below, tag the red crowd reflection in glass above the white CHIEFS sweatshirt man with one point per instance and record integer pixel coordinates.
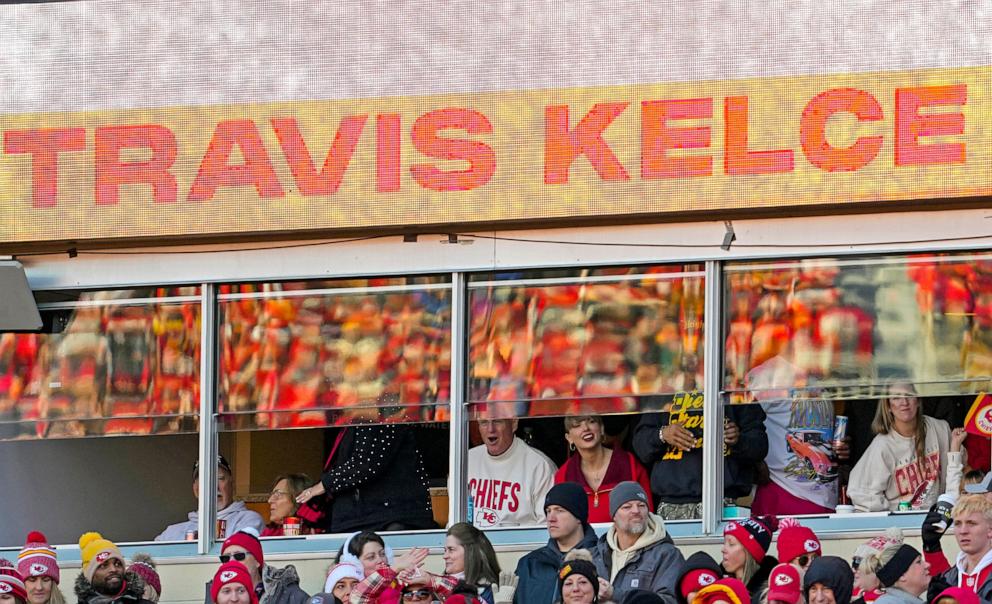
(590, 343)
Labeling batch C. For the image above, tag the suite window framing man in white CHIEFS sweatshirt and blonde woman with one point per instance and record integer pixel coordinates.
(569, 373)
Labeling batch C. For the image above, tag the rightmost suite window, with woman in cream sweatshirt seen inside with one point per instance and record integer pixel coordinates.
(862, 369)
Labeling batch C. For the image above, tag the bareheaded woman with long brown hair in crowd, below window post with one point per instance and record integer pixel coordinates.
(469, 556)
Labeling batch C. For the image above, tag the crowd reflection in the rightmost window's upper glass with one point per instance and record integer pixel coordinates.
(848, 327)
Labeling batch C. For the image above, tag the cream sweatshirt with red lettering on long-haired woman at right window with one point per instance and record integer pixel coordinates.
(889, 471)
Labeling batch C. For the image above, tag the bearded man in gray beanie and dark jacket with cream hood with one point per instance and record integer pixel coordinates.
(636, 552)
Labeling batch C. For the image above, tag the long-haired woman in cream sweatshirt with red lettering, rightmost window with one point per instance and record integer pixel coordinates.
(912, 459)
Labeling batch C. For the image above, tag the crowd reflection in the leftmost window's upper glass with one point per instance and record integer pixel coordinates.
(113, 366)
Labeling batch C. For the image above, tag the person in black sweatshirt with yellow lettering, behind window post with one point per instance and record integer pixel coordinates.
(671, 443)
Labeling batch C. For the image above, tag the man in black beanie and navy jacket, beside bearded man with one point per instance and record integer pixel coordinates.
(566, 507)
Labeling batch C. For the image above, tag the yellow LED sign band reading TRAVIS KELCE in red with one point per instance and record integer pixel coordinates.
(460, 159)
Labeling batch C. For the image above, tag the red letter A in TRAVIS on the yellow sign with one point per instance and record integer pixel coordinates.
(215, 172)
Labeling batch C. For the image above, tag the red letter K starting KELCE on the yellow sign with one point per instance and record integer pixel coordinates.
(562, 146)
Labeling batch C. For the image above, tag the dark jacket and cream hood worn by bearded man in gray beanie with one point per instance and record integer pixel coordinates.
(652, 562)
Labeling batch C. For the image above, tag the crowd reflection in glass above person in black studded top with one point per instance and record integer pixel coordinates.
(293, 357)
